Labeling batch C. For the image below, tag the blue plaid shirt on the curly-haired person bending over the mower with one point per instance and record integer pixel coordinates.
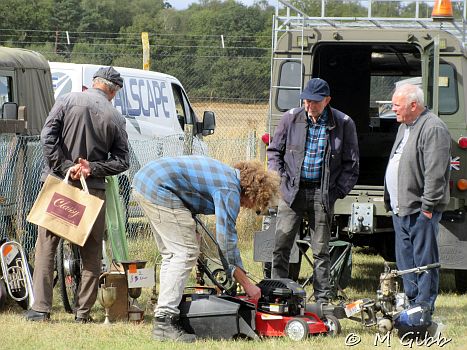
(203, 186)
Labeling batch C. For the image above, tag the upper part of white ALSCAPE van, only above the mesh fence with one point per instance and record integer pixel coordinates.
(154, 104)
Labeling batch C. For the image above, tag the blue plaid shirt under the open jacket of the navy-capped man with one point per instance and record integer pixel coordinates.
(314, 149)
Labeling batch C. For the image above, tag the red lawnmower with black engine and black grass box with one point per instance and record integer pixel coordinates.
(281, 310)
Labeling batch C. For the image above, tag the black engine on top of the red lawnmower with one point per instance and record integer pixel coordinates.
(281, 297)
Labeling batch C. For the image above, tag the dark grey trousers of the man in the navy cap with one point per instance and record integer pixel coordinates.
(307, 202)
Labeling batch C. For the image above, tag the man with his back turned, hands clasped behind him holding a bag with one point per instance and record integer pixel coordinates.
(86, 135)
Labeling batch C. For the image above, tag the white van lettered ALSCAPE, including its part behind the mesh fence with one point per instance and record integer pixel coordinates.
(160, 120)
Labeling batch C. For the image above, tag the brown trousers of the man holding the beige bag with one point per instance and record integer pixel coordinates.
(91, 255)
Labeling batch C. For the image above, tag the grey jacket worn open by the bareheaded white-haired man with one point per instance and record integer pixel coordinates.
(423, 176)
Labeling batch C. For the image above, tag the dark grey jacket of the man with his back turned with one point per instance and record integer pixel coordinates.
(85, 125)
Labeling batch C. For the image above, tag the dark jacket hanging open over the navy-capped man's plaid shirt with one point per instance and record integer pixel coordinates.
(286, 153)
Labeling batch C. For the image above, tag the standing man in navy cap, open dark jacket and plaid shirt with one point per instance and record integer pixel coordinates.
(315, 151)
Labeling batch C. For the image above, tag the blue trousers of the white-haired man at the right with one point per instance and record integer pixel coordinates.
(416, 245)
